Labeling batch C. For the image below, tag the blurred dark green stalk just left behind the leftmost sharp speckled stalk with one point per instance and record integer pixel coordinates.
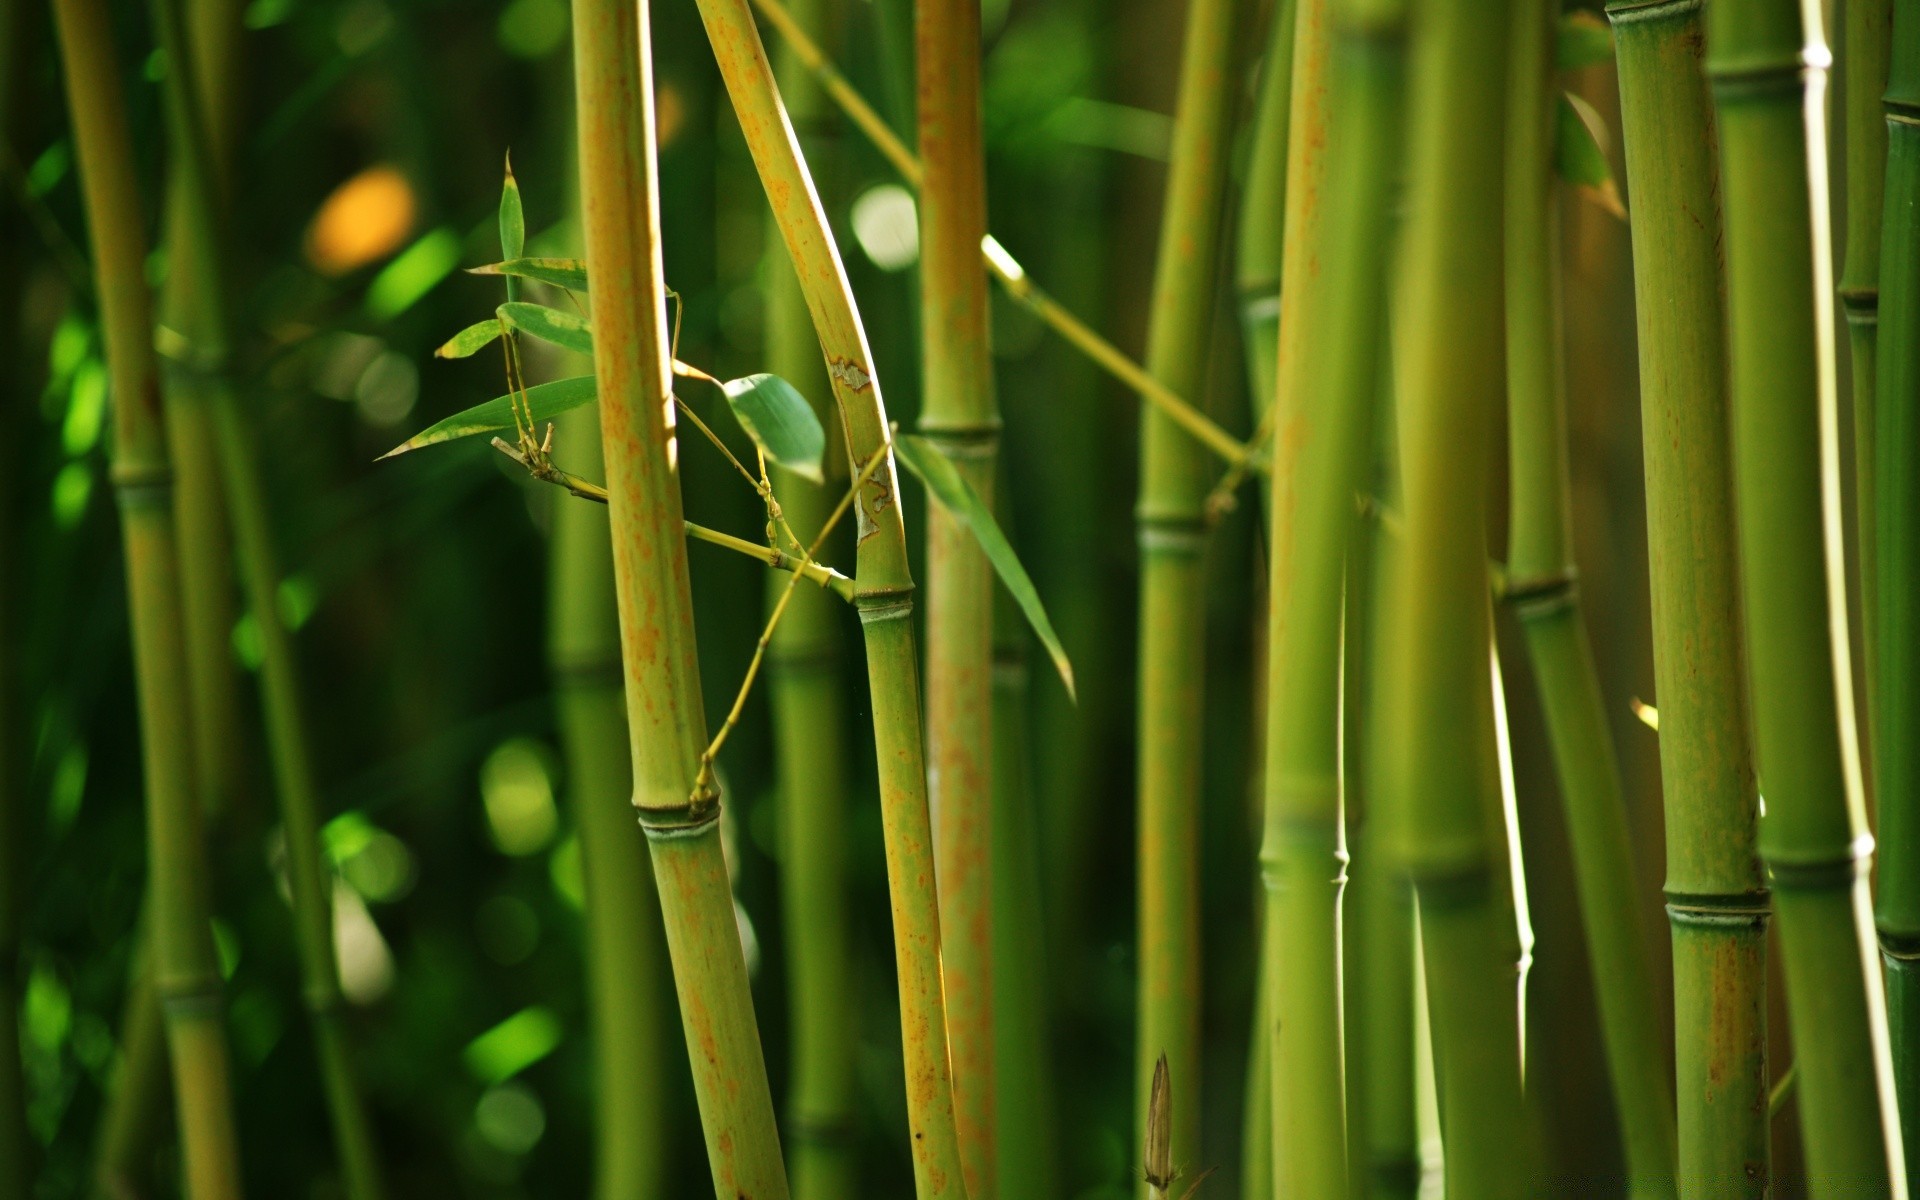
(627, 949)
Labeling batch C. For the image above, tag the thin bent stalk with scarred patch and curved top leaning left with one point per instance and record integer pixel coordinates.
(882, 590)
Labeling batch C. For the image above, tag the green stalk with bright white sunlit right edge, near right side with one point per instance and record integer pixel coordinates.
(1765, 60)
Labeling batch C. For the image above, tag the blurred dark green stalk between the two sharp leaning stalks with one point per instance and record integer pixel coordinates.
(809, 706)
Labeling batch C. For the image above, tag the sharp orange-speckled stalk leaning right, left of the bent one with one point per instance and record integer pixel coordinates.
(667, 731)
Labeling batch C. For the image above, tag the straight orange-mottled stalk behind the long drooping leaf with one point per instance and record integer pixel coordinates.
(961, 414)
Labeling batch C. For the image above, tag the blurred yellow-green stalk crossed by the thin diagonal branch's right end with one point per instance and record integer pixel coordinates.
(1172, 537)
